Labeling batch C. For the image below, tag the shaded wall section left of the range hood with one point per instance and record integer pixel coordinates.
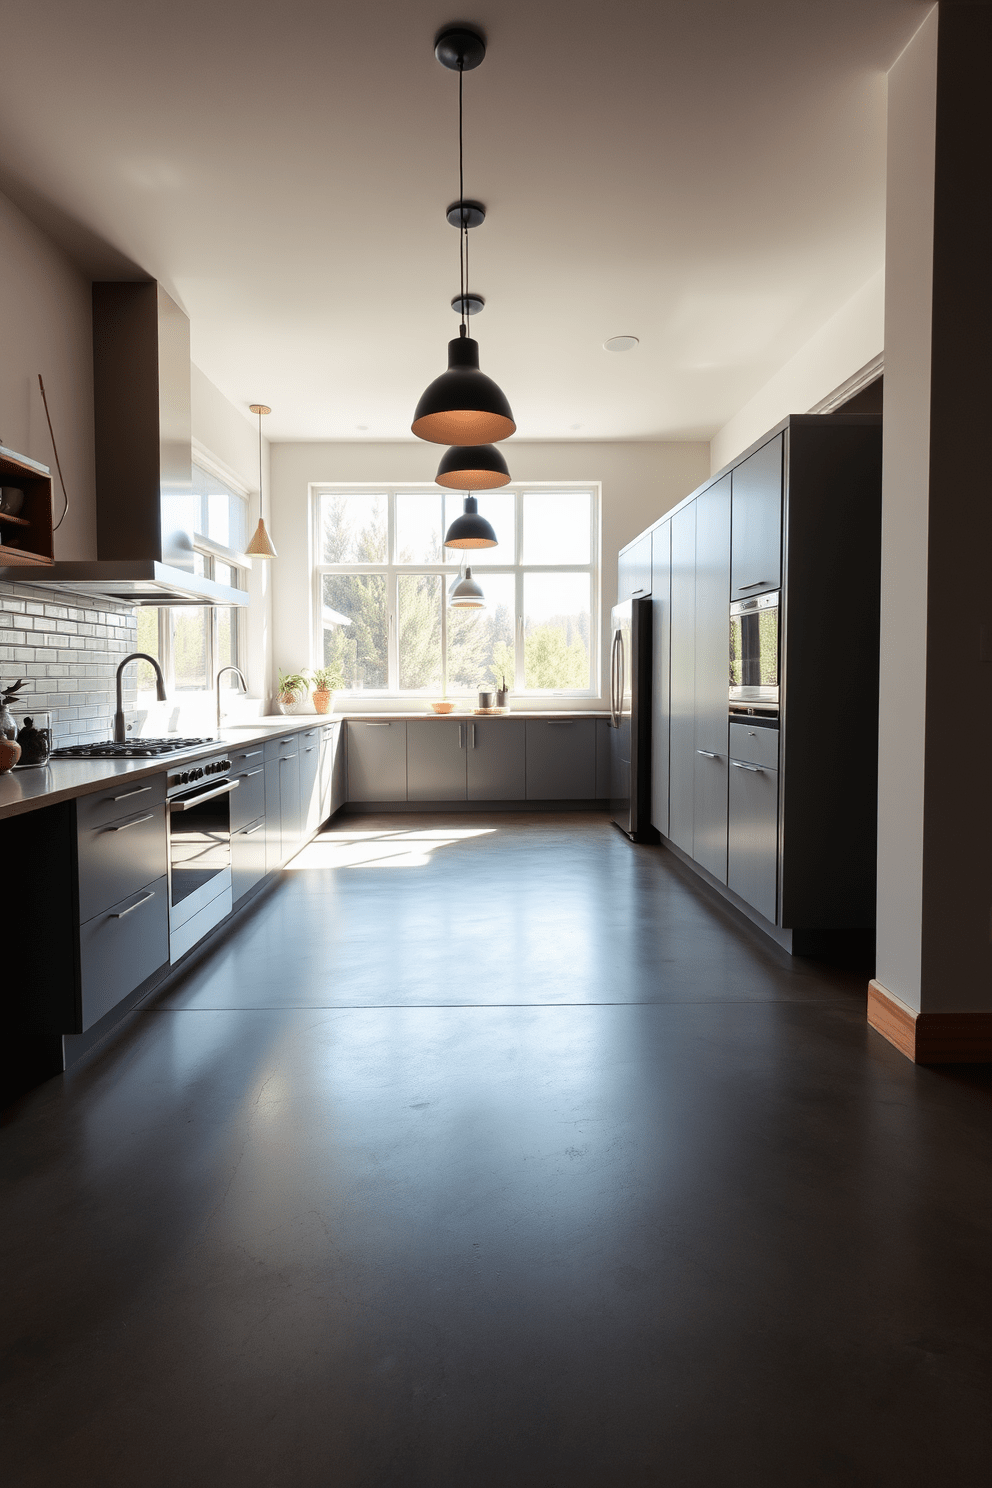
(45, 312)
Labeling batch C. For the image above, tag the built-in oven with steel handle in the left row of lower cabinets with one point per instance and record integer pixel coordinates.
(200, 850)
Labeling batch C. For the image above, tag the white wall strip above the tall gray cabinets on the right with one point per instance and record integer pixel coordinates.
(847, 343)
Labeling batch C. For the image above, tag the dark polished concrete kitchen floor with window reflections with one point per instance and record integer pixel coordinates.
(492, 1151)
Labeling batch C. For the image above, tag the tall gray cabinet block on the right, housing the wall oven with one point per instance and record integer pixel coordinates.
(776, 807)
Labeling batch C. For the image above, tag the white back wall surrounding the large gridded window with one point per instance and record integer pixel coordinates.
(640, 483)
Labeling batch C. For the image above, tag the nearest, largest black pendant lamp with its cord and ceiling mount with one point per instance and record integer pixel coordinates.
(463, 405)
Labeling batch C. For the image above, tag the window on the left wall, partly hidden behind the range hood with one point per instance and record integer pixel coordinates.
(193, 644)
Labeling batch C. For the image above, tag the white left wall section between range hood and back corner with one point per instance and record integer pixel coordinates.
(231, 438)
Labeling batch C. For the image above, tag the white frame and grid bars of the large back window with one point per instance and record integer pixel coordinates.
(450, 571)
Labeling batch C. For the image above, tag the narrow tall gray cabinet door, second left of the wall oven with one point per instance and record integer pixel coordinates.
(683, 678)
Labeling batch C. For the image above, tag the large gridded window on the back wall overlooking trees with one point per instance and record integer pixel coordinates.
(381, 566)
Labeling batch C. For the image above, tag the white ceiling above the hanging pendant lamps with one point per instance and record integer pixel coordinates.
(706, 175)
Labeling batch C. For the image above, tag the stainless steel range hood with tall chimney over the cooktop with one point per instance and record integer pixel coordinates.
(144, 435)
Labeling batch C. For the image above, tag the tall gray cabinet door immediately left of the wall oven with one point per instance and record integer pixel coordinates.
(712, 679)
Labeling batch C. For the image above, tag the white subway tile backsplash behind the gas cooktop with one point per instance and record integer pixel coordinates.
(69, 658)
